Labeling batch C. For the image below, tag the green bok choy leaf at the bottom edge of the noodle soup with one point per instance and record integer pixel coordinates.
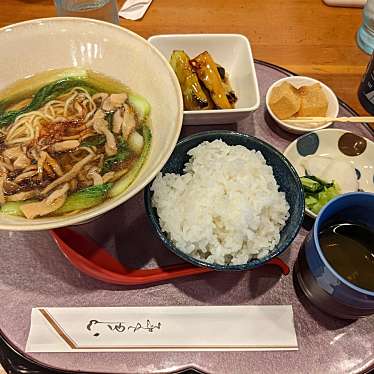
(85, 198)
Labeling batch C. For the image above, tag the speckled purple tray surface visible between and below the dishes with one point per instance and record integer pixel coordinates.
(34, 273)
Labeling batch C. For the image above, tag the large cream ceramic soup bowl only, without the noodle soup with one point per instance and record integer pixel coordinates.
(39, 45)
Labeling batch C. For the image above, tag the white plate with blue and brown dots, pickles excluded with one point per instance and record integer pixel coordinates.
(333, 143)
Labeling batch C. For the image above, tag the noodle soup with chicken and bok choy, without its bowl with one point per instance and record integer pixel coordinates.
(62, 149)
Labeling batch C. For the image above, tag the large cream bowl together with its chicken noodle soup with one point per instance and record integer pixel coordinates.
(88, 117)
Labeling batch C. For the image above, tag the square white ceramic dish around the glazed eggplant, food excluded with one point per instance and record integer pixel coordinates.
(233, 52)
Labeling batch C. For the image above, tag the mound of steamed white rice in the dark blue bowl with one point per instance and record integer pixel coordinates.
(226, 208)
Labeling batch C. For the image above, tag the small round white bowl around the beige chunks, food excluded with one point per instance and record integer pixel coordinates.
(298, 81)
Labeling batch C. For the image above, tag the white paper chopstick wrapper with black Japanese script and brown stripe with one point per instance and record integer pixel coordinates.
(181, 328)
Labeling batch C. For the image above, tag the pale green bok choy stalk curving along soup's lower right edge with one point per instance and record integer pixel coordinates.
(126, 180)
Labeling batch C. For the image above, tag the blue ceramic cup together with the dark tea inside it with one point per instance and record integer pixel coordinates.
(335, 266)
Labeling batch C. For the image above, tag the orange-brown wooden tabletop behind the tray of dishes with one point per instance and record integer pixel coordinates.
(304, 36)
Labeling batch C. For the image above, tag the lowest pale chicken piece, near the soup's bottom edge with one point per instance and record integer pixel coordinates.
(41, 208)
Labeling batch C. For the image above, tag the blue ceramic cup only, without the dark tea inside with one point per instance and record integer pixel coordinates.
(320, 282)
